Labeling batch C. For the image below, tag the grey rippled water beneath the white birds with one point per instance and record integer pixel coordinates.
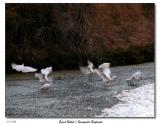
(72, 94)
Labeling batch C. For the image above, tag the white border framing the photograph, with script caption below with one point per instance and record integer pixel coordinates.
(56, 121)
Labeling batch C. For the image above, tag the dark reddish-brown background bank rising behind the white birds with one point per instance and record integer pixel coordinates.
(53, 34)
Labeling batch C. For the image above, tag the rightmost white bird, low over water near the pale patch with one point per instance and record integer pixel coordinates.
(134, 77)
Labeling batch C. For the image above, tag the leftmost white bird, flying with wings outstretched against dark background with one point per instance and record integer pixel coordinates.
(22, 68)
